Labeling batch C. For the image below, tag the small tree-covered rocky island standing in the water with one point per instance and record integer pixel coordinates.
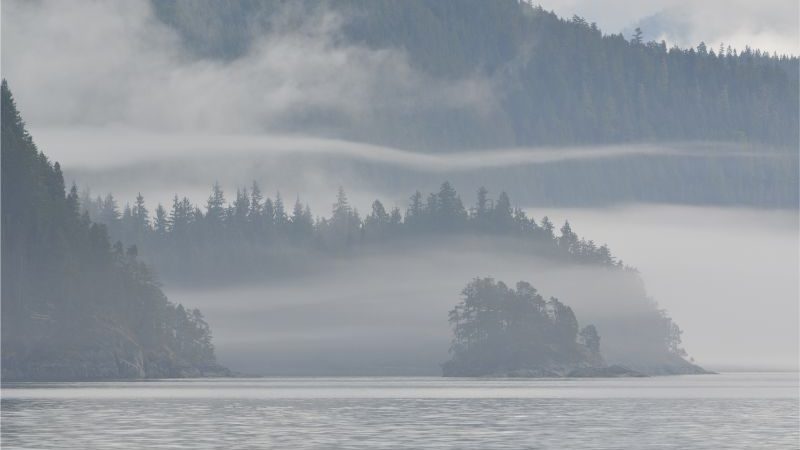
(514, 332)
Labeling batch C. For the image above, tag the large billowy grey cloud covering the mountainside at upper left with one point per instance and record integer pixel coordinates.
(126, 67)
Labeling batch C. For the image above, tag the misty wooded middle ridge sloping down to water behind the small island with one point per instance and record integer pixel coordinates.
(257, 240)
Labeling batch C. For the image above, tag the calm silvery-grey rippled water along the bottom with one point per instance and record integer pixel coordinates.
(705, 411)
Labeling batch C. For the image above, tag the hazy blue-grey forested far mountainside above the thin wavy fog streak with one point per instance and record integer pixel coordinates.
(556, 81)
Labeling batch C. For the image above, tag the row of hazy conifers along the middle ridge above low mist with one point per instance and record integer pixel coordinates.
(255, 232)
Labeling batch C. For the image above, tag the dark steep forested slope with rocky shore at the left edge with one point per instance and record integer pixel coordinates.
(74, 305)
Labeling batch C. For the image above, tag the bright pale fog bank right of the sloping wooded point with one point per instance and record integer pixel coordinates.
(727, 276)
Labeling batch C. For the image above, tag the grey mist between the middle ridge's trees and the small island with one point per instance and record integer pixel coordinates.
(385, 311)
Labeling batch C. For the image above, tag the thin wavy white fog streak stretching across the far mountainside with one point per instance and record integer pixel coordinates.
(118, 147)
